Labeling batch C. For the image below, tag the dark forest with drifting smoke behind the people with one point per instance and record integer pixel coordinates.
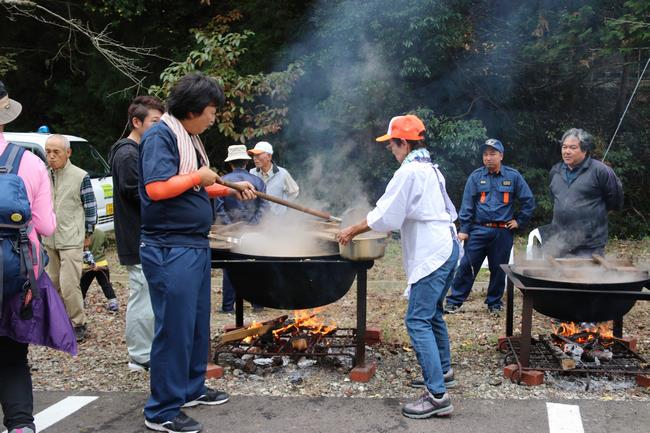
(321, 79)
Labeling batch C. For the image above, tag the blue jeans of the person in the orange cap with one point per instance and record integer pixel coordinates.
(426, 326)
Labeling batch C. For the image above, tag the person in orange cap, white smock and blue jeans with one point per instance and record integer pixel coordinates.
(417, 204)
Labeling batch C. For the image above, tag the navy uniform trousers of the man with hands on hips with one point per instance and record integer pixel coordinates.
(495, 243)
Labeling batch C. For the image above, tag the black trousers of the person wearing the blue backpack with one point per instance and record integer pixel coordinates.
(16, 395)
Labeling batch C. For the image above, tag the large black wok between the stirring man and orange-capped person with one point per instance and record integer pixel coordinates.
(291, 283)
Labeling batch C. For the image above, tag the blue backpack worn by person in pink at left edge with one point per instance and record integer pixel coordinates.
(16, 265)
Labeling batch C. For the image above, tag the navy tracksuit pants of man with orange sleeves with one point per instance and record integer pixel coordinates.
(179, 286)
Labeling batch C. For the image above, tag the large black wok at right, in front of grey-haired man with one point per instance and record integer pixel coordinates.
(587, 305)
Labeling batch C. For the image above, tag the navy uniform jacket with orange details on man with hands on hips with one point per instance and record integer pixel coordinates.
(490, 198)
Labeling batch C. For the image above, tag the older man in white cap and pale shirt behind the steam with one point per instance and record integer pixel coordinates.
(278, 180)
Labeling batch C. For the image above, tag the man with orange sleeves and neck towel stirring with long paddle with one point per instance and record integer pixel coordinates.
(175, 187)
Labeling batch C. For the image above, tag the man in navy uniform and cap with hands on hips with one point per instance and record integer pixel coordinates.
(487, 223)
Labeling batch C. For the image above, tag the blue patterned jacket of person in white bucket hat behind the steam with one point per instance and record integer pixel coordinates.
(230, 210)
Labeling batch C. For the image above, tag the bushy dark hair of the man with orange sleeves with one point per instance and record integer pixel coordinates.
(192, 93)
